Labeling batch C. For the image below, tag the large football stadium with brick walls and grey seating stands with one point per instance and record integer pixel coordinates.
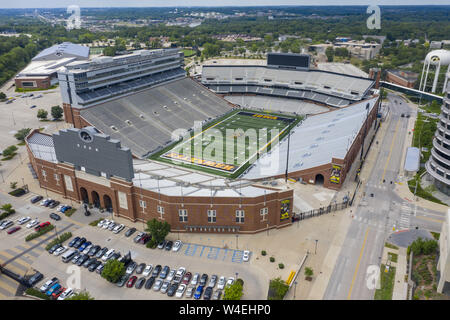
(147, 141)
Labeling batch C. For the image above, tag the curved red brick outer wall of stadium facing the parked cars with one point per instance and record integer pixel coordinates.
(75, 185)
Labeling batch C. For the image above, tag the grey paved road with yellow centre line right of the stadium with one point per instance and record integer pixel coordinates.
(375, 216)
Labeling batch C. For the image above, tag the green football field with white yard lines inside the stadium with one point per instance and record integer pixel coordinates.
(231, 143)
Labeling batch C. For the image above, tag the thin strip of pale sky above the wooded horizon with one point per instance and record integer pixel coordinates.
(202, 3)
